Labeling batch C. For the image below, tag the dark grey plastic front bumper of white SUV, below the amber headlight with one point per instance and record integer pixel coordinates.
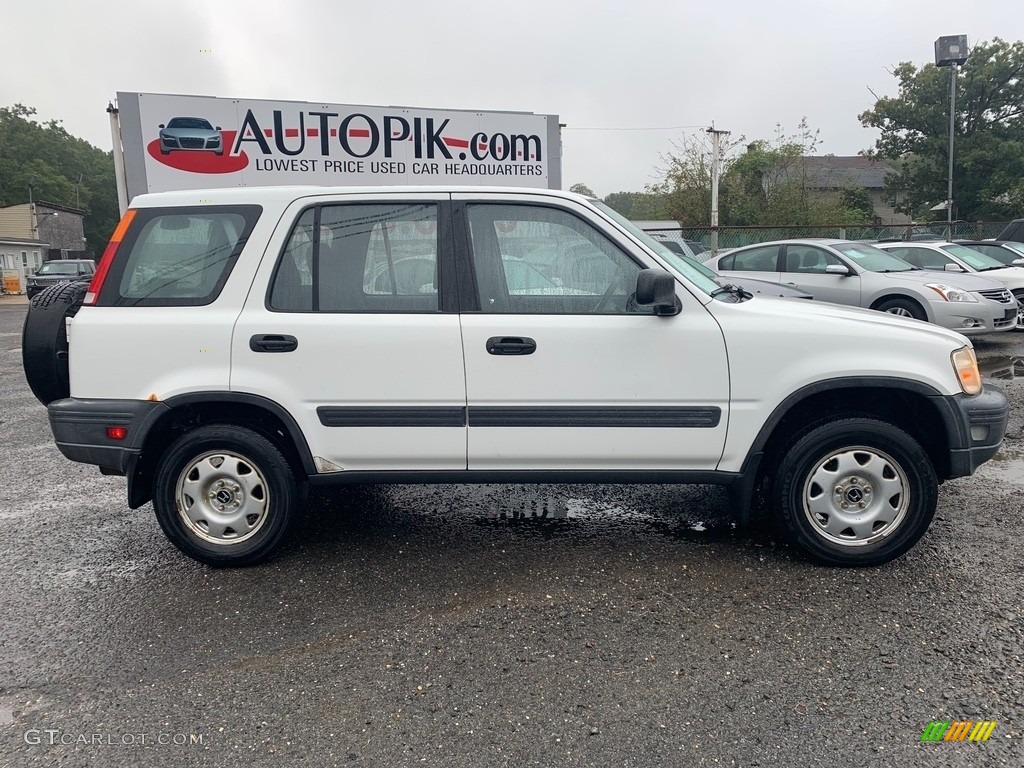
(975, 425)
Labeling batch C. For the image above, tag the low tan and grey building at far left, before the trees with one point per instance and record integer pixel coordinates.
(34, 233)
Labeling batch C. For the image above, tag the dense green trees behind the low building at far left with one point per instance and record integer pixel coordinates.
(54, 161)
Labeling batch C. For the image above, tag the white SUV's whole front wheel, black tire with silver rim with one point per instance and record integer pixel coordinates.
(848, 461)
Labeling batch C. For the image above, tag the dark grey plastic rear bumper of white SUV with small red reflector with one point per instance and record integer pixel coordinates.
(80, 426)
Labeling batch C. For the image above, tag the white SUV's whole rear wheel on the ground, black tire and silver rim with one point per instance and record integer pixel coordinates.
(233, 467)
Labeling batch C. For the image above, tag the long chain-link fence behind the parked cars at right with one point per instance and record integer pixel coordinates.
(734, 237)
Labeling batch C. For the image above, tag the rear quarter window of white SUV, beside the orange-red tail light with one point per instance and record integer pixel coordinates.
(178, 257)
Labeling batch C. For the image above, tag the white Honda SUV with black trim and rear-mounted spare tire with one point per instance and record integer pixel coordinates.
(236, 346)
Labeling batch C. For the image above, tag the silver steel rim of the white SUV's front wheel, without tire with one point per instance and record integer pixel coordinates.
(856, 497)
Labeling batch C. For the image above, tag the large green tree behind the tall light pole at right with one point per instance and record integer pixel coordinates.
(989, 133)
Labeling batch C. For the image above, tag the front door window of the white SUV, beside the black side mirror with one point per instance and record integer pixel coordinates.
(532, 260)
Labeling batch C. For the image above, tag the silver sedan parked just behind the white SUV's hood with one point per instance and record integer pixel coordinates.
(861, 275)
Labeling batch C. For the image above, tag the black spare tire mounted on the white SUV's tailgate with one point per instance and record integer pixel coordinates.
(45, 340)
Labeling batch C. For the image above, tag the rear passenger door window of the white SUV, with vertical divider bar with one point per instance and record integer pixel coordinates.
(362, 259)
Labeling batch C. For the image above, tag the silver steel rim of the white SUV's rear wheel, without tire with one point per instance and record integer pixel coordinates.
(223, 498)
